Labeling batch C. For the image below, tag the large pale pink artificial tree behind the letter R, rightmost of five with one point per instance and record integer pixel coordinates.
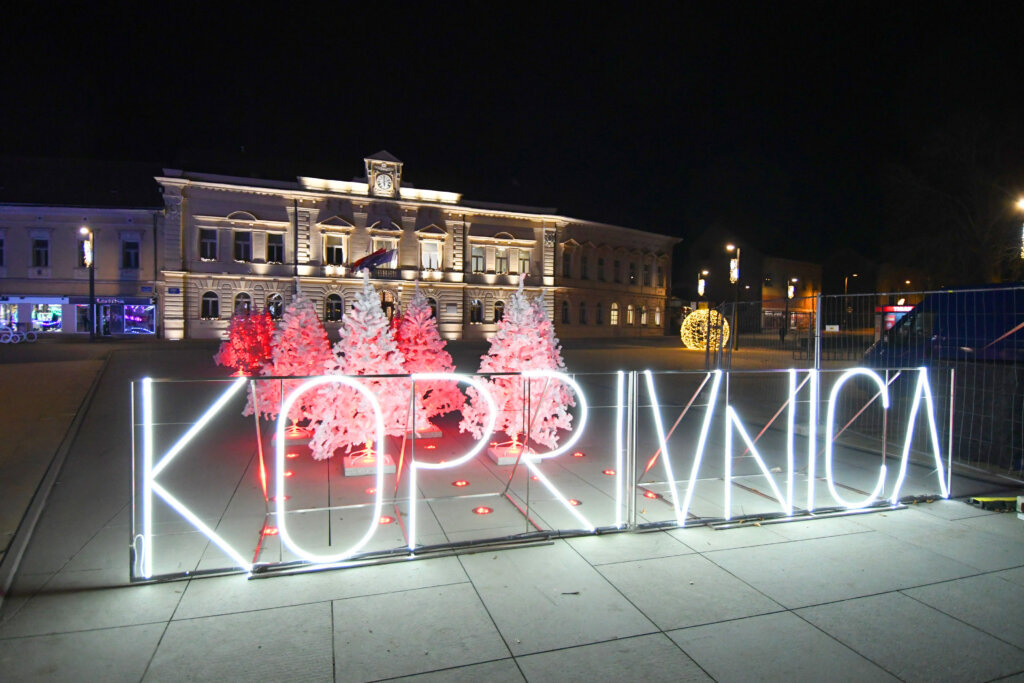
(526, 340)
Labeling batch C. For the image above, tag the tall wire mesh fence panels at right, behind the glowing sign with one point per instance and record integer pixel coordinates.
(977, 333)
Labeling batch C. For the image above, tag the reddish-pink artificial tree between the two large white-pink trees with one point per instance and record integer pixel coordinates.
(423, 349)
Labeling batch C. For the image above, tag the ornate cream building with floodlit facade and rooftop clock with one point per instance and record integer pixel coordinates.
(231, 243)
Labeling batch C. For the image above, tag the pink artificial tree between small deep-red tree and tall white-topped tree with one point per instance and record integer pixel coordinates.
(301, 350)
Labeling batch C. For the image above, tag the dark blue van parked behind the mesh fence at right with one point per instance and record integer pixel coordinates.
(974, 325)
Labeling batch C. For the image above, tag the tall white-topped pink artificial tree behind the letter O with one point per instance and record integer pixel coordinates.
(367, 348)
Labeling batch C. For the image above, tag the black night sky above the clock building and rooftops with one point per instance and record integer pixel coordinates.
(775, 121)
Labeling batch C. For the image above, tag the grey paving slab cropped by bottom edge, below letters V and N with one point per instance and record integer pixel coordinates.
(774, 648)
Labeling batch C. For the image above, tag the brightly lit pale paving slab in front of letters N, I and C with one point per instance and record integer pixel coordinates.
(806, 573)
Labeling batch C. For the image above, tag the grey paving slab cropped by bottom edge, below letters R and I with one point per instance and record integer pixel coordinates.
(652, 658)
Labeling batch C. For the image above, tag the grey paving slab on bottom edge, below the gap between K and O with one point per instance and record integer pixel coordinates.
(289, 644)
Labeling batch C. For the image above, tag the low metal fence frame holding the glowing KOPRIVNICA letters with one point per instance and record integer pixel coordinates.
(215, 491)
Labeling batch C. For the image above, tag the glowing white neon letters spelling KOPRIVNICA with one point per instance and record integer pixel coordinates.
(615, 455)
